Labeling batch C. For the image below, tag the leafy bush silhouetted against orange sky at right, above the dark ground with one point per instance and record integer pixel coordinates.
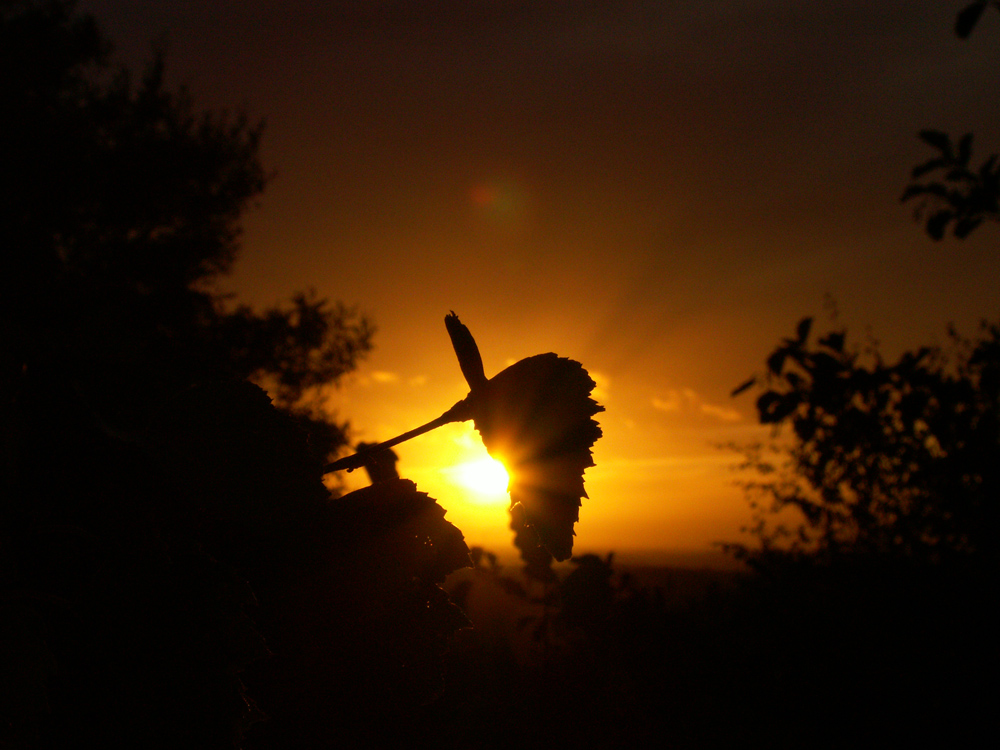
(891, 460)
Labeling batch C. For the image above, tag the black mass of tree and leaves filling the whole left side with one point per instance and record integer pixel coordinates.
(173, 571)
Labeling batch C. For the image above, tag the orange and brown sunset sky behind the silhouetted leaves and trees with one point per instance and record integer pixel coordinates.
(658, 189)
